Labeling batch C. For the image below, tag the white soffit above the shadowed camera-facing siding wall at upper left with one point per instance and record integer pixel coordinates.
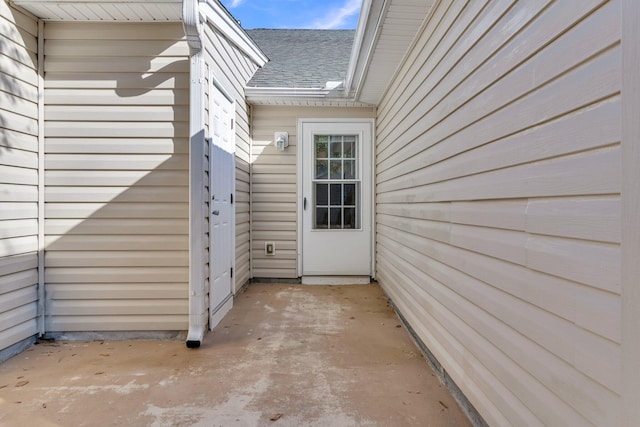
(108, 11)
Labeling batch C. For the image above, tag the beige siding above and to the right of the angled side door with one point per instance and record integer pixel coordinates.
(232, 70)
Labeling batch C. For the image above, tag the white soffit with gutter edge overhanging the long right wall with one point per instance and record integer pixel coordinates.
(382, 41)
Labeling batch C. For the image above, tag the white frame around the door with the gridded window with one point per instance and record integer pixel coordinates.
(300, 184)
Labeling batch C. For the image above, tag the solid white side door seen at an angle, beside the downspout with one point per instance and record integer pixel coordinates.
(221, 218)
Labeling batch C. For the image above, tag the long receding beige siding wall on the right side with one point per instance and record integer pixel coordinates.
(498, 205)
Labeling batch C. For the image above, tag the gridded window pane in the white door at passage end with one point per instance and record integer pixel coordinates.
(336, 183)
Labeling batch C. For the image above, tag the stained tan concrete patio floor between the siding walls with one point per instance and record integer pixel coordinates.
(286, 355)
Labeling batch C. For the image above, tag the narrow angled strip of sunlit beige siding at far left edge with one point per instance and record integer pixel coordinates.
(18, 176)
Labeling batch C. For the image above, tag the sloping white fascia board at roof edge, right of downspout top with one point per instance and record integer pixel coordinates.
(220, 19)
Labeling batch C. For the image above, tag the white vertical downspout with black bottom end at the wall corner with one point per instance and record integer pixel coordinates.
(197, 298)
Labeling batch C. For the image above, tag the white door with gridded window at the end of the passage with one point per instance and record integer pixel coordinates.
(336, 199)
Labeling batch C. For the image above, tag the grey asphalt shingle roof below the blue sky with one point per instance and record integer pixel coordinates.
(302, 58)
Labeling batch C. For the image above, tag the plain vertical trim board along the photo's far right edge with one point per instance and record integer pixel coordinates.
(630, 208)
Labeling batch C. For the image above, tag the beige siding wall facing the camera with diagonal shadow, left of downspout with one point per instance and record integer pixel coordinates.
(116, 181)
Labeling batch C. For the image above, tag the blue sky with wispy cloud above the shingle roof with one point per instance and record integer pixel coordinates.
(317, 14)
